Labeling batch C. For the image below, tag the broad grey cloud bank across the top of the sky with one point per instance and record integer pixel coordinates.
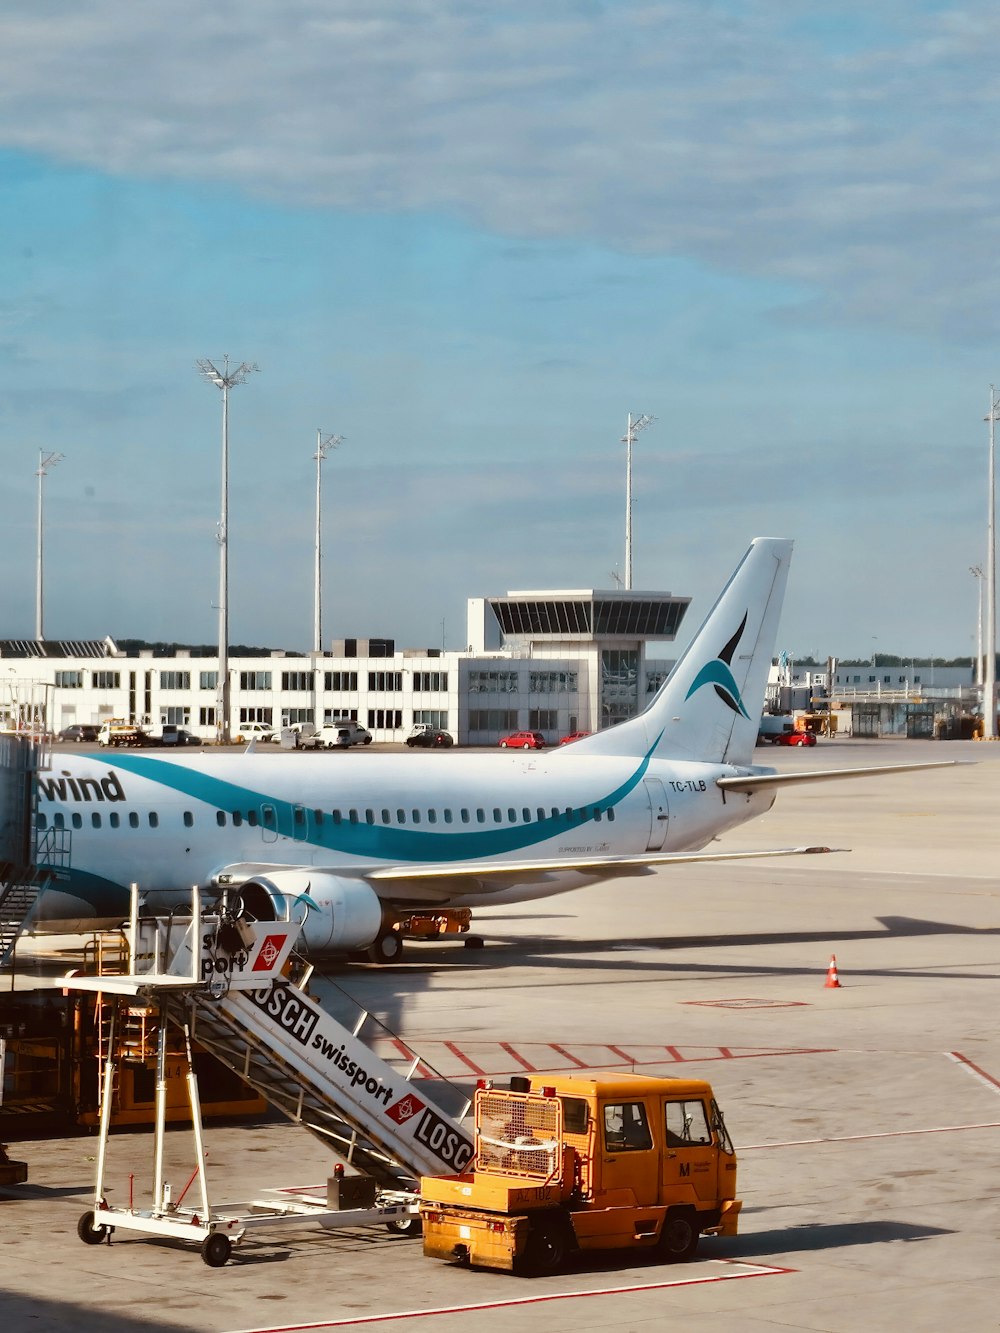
(847, 154)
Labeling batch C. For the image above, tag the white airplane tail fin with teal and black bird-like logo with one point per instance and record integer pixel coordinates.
(710, 706)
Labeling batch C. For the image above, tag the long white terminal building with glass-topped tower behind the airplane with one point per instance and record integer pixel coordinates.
(554, 662)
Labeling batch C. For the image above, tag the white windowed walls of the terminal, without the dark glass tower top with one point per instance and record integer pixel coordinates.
(477, 694)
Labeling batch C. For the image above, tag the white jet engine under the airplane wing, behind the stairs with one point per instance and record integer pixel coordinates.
(339, 915)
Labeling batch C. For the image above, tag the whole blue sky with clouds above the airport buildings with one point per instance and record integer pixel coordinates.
(471, 239)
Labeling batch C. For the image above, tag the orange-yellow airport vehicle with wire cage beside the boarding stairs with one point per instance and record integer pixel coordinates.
(569, 1164)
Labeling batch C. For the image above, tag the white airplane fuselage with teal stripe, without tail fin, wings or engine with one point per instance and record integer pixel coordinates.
(167, 823)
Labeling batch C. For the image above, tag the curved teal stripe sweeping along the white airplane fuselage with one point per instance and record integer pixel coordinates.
(379, 842)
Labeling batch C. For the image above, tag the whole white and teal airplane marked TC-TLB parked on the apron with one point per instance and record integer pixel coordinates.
(371, 850)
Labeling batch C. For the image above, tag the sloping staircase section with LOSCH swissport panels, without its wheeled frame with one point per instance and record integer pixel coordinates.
(225, 982)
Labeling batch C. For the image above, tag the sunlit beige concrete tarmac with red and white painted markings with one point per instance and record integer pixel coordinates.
(867, 1116)
